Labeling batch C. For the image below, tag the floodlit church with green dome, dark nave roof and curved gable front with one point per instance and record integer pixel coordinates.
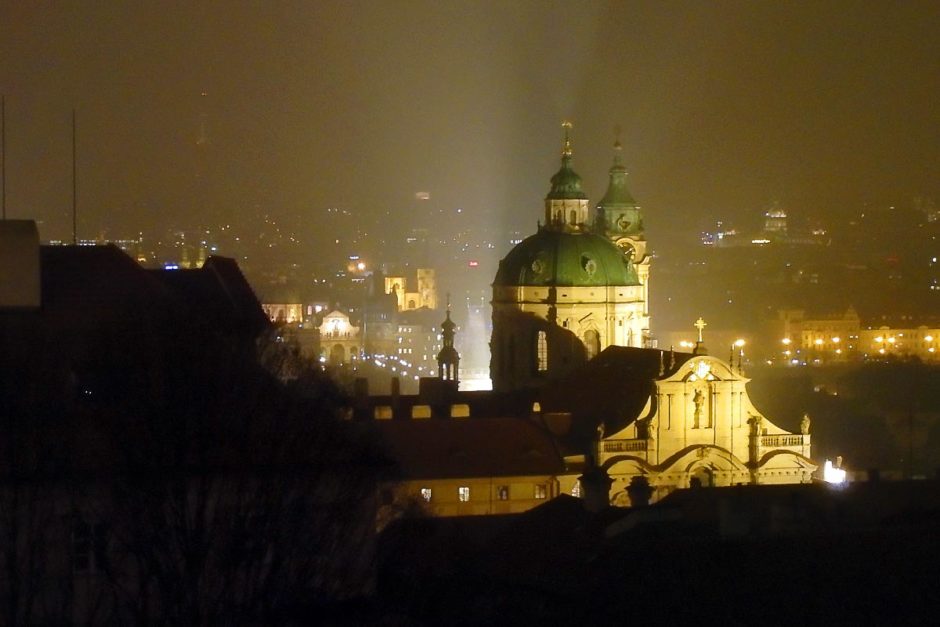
(571, 319)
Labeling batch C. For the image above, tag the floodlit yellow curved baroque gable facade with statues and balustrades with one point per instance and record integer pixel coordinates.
(699, 427)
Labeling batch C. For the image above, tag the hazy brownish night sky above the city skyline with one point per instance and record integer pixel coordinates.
(724, 107)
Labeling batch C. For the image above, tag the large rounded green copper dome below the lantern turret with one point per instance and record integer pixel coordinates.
(562, 259)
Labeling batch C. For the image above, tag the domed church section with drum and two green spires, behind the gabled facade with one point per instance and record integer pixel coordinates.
(572, 289)
